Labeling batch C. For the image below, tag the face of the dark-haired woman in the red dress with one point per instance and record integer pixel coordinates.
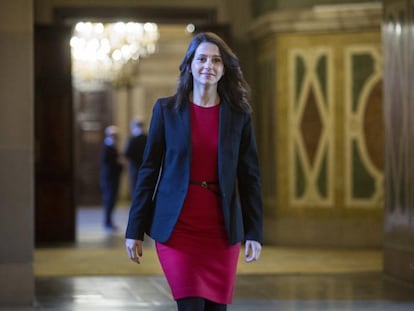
(207, 66)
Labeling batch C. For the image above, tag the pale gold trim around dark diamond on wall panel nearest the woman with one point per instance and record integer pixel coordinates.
(311, 197)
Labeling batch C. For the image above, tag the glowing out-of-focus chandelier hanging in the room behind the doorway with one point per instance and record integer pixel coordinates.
(100, 52)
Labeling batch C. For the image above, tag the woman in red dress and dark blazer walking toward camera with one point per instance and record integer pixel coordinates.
(198, 192)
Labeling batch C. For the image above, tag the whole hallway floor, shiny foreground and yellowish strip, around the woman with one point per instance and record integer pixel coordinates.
(284, 279)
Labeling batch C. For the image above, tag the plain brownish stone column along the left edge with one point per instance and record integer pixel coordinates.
(16, 153)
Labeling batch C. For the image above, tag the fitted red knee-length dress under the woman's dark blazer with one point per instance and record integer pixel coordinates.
(198, 260)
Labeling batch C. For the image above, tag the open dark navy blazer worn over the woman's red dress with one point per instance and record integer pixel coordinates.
(169, 145)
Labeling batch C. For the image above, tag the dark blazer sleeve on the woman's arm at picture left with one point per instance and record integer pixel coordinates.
(141, 211)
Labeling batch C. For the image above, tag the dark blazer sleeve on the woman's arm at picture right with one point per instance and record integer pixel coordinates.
(249, 184)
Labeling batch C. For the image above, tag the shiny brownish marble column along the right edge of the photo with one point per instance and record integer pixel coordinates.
(398, 49)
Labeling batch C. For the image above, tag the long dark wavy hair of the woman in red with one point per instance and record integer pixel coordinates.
(232, 86)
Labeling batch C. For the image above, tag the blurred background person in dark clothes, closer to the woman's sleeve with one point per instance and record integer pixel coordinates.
(134, 150)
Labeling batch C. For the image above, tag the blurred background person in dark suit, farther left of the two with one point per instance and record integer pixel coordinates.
(111, 168)
